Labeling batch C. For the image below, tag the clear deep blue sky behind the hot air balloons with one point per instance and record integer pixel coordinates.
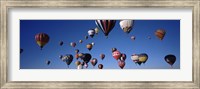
(74, 30)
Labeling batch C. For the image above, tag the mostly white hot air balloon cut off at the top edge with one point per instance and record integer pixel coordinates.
(126, 25)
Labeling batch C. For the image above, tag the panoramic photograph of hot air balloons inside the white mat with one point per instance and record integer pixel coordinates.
(99, 44)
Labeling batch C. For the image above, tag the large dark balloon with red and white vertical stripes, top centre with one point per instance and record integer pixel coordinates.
(105, 25)
